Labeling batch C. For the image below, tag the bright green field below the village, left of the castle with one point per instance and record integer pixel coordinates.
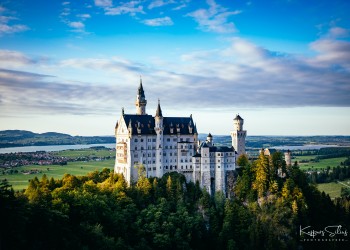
(19, 180)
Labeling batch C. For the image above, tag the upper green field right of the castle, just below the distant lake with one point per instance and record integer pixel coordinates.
(323, 163)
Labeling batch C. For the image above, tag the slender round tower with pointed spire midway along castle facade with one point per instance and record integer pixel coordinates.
(159, 146)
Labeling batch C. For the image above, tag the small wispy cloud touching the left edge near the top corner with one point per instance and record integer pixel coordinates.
(7, 25)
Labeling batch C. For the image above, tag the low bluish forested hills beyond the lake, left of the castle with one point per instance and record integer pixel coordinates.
(19, 138)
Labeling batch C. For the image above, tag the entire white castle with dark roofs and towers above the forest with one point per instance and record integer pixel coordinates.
(170, 144)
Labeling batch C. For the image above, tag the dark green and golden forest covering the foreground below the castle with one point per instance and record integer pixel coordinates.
(100, 211)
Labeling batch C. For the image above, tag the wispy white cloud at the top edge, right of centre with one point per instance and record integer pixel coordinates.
(215, 18)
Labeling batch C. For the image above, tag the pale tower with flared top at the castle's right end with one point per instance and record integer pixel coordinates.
(238, 135)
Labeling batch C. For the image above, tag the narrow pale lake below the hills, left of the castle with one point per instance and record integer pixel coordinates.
(52, 148)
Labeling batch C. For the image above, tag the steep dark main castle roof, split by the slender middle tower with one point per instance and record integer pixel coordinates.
(144, 125)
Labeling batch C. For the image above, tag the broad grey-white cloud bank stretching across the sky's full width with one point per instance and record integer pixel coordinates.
(242, 74)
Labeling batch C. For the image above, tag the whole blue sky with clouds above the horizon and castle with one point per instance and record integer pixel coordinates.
(71, 66)
